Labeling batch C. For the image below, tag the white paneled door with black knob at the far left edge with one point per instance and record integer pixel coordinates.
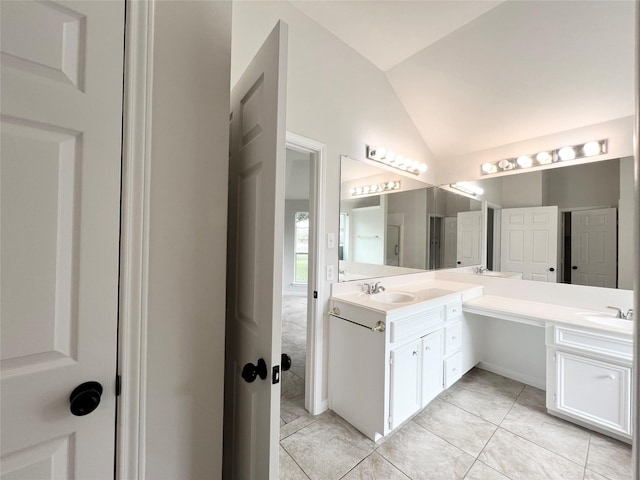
(60, 213)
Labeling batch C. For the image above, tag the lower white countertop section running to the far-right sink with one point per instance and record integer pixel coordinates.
(537, 313)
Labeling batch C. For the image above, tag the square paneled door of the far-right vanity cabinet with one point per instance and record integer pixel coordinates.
(595, 391)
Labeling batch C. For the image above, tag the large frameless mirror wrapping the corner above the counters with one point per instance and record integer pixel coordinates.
(568, 224)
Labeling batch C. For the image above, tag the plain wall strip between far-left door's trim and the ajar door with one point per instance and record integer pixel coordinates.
(187, 243)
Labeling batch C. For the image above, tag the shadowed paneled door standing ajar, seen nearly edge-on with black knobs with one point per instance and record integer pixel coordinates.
(257, 166)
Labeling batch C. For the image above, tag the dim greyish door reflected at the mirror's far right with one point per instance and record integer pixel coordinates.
(594, 247)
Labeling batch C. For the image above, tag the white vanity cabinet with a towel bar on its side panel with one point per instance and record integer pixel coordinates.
(380, 376)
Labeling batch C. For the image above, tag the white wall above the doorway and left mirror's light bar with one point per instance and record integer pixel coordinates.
(335, 96)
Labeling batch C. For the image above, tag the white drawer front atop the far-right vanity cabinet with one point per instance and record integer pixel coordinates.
(591, 342)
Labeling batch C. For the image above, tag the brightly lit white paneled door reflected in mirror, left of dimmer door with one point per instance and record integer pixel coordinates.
(529, 239)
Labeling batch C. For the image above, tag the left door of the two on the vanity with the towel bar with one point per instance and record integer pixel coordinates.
(405, 382)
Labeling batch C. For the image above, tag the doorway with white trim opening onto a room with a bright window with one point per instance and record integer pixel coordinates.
(303, 220)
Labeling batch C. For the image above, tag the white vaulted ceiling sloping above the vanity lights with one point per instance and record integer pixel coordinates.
(478, 74)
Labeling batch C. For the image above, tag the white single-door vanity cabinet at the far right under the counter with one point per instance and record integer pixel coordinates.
(589, 378)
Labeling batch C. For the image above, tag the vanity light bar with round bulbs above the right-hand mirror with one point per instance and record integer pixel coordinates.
(588, 149)
